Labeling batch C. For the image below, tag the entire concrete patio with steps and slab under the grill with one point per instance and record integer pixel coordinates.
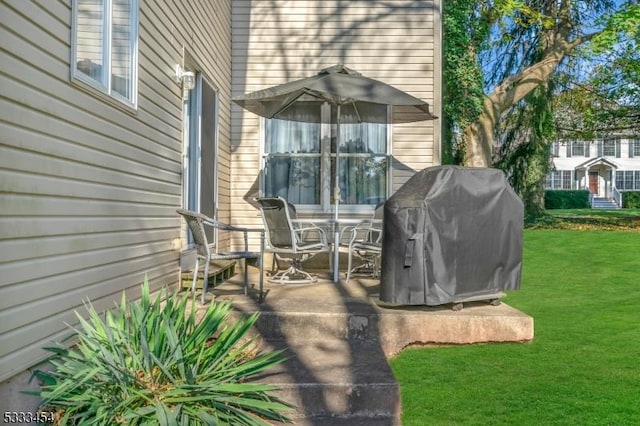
(339, 337)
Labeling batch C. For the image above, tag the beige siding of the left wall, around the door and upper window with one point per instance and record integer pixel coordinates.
(88, 186)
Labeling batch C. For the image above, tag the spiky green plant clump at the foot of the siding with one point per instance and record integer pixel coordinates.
(153, 362)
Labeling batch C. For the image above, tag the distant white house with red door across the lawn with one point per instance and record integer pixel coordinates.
(605, 167)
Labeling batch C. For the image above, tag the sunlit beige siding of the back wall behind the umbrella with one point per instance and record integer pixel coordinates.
(395, 41)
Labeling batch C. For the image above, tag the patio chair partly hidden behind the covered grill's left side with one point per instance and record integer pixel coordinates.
(365, 244)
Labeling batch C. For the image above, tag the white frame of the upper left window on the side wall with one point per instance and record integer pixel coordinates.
(104, 83)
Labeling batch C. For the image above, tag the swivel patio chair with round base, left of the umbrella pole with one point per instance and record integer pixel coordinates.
(289, 240)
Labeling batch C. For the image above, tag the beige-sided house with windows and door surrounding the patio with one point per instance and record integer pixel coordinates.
(101, 140)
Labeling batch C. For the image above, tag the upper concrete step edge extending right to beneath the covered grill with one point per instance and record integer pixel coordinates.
(393, 328)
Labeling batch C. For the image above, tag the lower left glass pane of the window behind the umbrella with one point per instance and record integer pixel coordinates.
(294, 178)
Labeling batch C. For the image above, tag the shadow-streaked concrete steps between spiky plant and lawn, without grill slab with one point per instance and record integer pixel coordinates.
(337, 371)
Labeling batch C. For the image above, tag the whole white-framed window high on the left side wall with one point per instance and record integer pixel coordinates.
(104, 50)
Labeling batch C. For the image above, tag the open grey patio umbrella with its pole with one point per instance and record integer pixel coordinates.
(357, 100)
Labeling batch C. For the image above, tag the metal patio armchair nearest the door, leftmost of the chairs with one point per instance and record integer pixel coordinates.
(207, 252)
